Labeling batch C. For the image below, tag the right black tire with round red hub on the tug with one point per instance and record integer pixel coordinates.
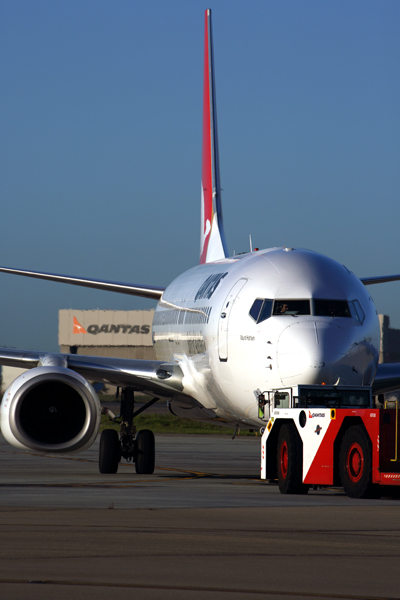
(355, 464)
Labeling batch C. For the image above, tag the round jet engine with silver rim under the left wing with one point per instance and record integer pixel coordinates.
(50, 409)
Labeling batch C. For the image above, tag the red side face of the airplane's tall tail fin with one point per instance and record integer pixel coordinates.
(206, 174)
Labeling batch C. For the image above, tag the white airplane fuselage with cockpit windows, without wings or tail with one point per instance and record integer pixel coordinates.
(227, 352)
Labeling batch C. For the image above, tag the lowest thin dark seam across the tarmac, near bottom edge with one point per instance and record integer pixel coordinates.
(189, 588)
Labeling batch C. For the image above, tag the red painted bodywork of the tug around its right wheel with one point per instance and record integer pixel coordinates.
(321, 469)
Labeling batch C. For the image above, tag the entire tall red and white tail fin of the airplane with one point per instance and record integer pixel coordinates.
(212, 237)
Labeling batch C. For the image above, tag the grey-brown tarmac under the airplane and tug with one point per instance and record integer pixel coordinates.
(202, 526)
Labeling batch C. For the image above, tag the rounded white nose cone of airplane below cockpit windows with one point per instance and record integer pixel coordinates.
(315, 352)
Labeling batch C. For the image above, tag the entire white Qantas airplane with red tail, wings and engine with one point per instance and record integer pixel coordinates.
(225, 333)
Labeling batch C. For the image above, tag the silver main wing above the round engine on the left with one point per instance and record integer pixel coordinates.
(148, 376)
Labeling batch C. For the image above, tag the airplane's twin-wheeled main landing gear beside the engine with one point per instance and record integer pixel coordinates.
(137, 447)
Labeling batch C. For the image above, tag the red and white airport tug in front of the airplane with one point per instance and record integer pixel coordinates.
(329, 435)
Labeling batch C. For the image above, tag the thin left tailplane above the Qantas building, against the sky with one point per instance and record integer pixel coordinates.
(145, 291)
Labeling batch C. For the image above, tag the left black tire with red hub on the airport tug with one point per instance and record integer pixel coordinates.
(290, 461)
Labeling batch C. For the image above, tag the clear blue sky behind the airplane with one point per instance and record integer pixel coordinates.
(100, 141)
